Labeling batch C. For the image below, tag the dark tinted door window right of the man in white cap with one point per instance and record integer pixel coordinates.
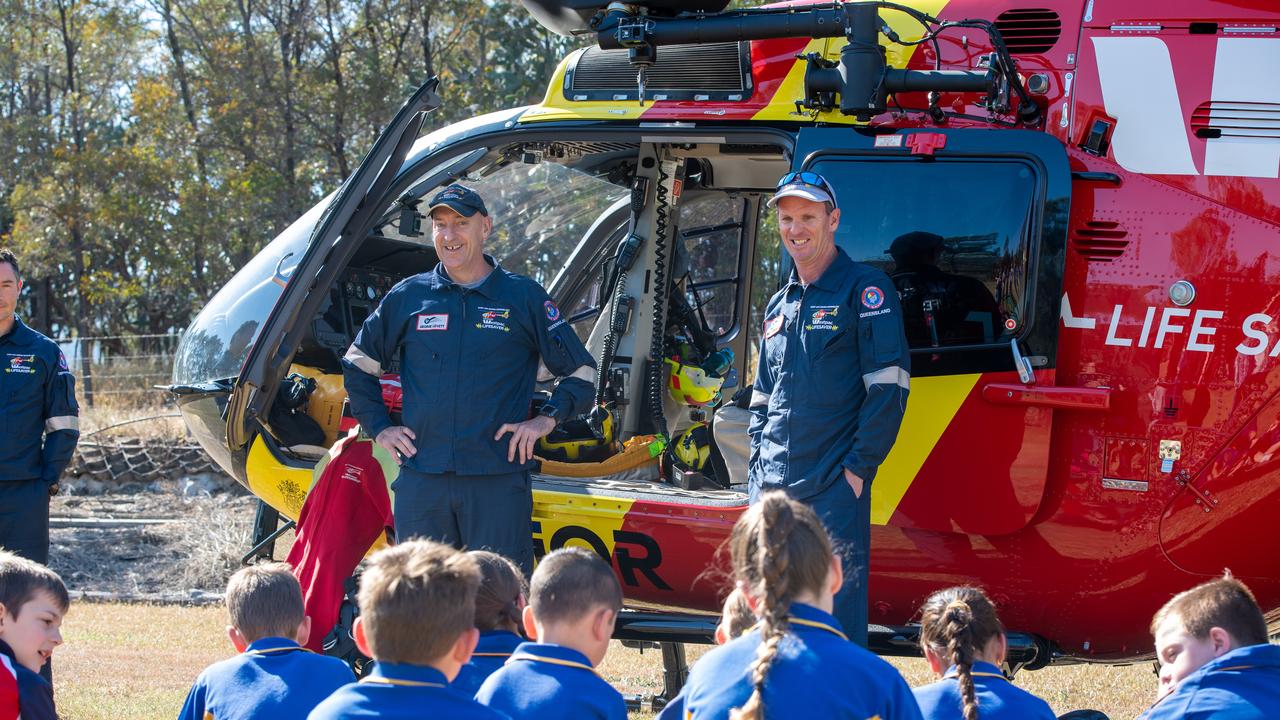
(959, 261)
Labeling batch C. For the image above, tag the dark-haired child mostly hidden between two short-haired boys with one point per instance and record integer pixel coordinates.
(500, 604)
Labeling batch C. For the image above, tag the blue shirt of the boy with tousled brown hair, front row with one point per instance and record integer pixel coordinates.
(395, 690)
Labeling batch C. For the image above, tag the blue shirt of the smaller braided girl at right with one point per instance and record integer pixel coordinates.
(998, 698)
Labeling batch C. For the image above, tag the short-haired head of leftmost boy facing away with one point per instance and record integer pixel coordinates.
(266, 601)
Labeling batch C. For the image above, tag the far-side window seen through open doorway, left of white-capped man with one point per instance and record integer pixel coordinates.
(710, 249)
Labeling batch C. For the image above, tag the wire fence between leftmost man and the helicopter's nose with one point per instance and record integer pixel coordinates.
(121, 371)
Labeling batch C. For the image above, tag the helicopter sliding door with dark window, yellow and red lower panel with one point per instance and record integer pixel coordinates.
(971, 227)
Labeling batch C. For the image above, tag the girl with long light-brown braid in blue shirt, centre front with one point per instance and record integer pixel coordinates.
(797, 662)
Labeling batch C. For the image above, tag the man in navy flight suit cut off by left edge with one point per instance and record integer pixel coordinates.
(40, 422)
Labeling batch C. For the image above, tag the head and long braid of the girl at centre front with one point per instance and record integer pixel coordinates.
(780, 552)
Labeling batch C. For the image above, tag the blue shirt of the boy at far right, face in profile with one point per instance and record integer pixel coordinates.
(1244, 685)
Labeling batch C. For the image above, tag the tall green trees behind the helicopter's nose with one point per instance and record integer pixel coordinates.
(153, 147)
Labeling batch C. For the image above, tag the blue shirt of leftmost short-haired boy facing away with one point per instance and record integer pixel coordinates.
(273, 678)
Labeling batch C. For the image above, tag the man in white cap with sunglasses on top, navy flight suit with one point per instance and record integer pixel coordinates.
(833, 382)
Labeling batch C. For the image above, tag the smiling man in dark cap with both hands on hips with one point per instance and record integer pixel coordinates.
(469, 336)
